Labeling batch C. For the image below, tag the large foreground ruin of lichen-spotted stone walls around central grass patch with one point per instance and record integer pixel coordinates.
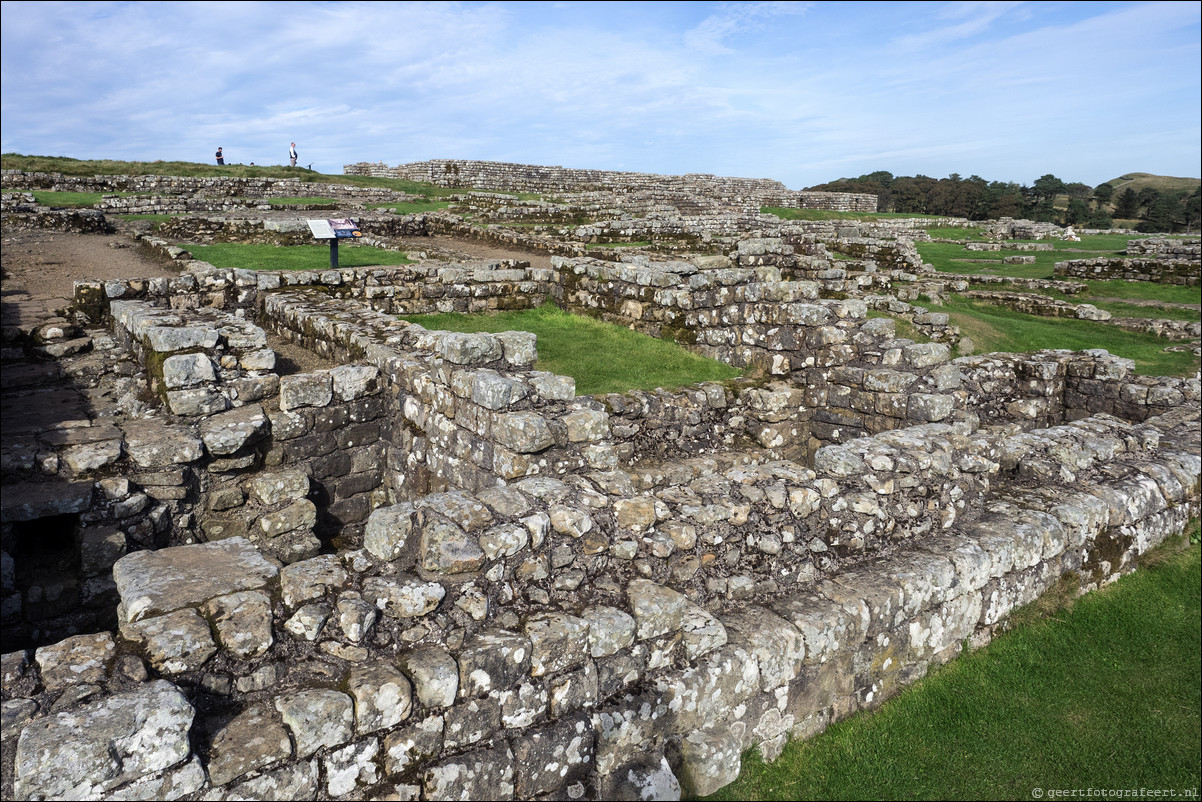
(594, 627)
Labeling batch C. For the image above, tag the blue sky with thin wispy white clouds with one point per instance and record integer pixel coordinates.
(799, 92)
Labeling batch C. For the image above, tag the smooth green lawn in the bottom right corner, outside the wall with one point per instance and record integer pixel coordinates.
(1105, 696)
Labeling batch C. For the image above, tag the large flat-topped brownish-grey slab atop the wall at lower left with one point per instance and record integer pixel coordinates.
(154, 583)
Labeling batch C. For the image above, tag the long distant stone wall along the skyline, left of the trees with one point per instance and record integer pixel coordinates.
(540, 180)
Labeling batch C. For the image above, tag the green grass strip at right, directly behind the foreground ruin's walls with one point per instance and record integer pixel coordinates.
(996, 329)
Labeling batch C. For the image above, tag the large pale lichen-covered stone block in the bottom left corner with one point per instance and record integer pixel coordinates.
(82, 753)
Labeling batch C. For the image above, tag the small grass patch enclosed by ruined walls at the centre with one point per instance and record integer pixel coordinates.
(603, 358)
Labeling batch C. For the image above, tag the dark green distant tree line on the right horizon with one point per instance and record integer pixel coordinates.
(977, 199)
